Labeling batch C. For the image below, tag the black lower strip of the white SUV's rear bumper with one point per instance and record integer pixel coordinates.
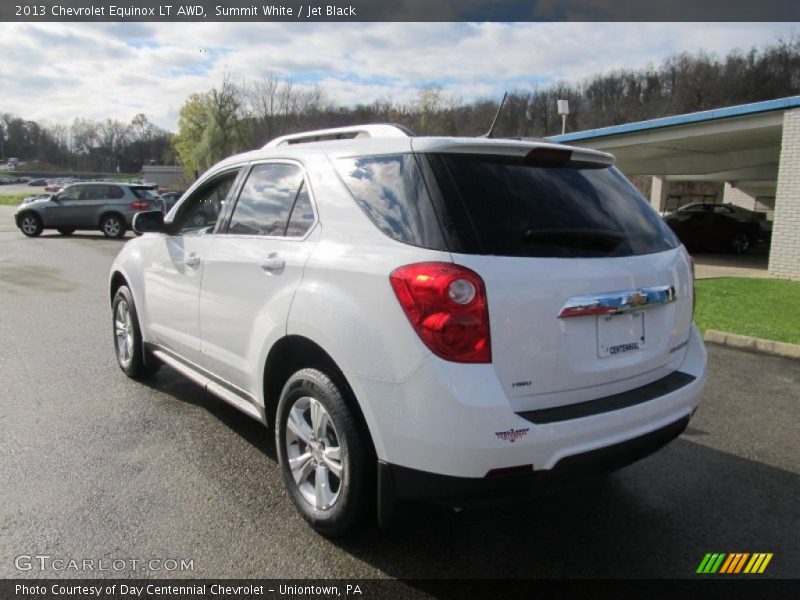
(398, 483)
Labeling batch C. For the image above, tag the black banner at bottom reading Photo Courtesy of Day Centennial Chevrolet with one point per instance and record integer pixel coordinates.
(368, 589)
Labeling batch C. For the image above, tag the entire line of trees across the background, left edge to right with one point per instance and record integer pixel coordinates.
(240, 114)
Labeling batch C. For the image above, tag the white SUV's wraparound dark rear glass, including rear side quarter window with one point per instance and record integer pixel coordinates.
(496, 206)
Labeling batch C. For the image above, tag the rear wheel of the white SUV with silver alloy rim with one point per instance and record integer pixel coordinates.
(351, 488)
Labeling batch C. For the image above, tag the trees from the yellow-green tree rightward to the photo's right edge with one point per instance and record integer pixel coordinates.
(241, 114)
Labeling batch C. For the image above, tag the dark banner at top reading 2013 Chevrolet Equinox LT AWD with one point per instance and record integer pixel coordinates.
(399, 10)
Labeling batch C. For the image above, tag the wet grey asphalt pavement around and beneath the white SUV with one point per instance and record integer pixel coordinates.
(94, 465)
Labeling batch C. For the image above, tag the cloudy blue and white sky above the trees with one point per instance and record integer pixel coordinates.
(59, 71)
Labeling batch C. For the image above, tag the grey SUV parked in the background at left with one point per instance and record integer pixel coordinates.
(108, 207)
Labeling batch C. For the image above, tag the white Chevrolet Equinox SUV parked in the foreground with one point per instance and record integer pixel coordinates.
(419, 318)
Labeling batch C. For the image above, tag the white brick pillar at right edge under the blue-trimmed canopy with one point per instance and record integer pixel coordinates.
(784, 258)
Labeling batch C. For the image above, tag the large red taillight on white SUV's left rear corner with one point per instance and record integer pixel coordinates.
(446, 305)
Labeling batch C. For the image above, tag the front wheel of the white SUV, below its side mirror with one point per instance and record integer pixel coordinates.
(134, 363)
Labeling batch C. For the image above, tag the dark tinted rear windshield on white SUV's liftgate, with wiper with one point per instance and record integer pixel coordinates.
(499, 207)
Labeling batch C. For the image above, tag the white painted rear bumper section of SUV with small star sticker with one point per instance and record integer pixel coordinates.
(455, 420)
